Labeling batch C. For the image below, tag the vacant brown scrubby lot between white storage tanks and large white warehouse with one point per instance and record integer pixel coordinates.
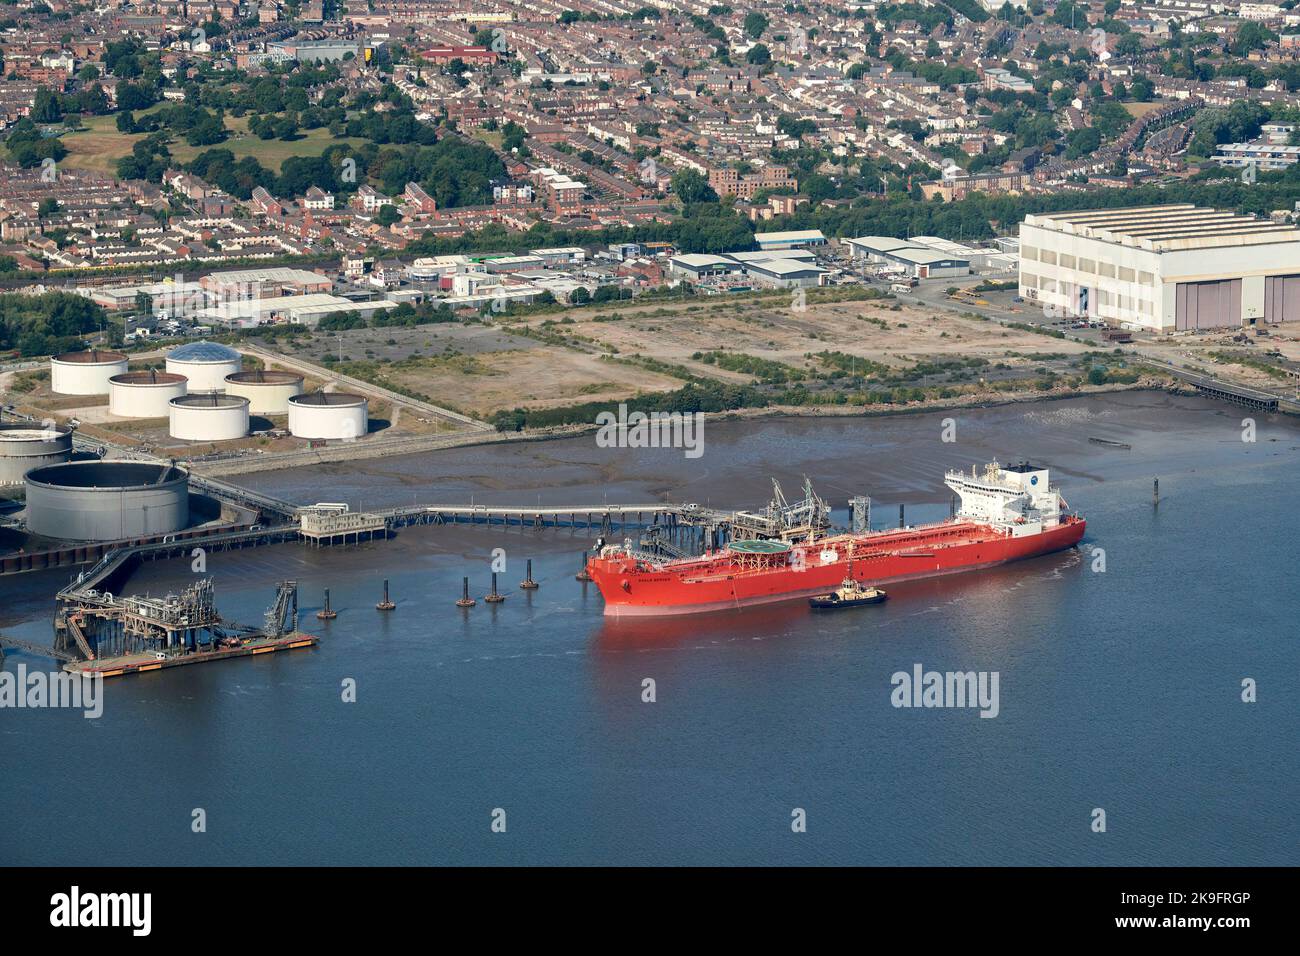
(591, 354)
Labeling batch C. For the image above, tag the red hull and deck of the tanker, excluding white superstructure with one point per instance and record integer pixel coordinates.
(881, 559)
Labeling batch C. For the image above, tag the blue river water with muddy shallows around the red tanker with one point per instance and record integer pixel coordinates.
(1120, 690)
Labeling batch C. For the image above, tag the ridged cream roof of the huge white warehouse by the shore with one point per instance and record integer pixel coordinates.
(1167, 228)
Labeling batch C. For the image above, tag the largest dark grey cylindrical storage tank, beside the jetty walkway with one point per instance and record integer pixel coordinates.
(106, 501)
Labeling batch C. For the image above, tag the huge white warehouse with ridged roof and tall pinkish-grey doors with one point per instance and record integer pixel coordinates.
(1165, 269)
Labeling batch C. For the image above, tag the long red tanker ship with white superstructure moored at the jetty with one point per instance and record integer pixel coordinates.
(1006, 514)
